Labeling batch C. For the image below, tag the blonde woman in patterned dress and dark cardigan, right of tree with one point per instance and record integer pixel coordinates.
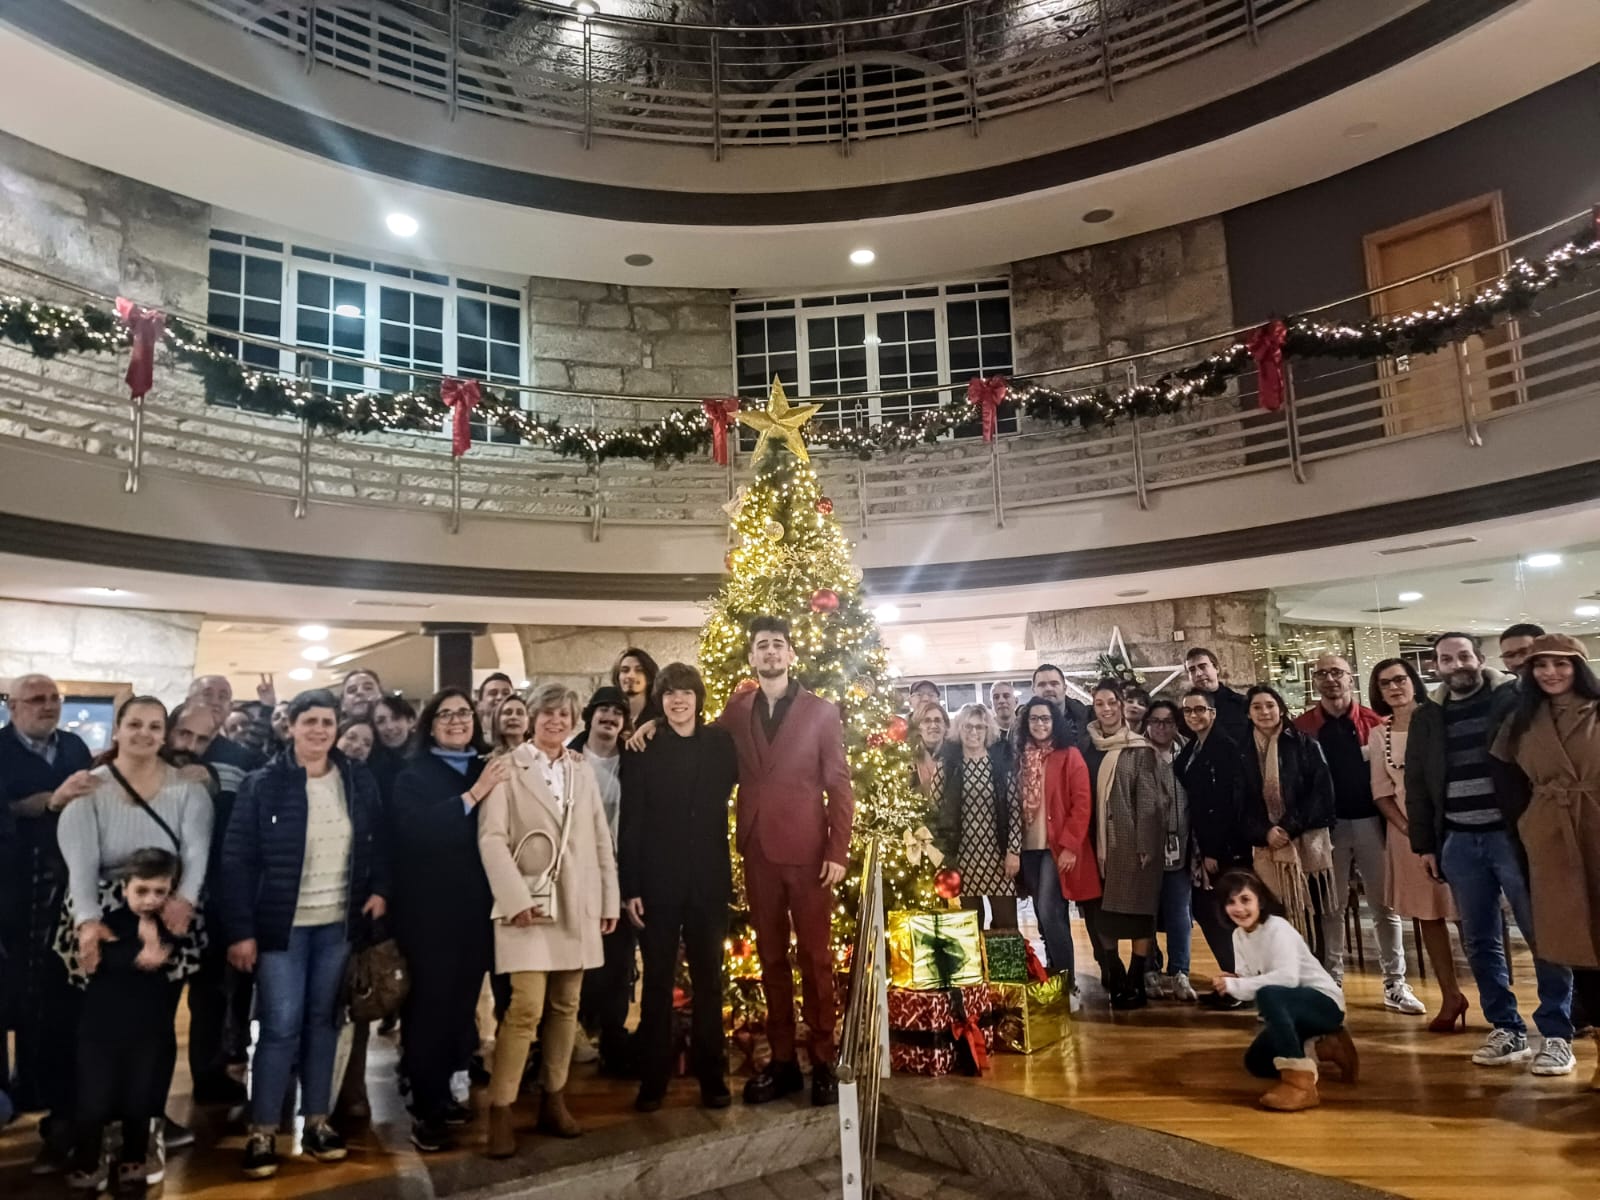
(980, 814)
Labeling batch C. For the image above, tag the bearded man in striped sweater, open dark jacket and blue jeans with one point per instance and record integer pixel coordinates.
(1463, 822)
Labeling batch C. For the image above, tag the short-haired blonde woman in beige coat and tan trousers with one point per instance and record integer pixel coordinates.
(550, 786)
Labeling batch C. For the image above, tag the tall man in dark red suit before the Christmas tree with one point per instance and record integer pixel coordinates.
(796, 809)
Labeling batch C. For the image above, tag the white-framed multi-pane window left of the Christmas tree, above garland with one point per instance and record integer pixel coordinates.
(399, 319)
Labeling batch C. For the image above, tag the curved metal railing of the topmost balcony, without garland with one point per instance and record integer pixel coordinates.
(945, 65)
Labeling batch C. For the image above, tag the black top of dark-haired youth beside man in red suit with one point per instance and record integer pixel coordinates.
(673, 834)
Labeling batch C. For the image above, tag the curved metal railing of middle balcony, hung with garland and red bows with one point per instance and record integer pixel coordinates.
(78, 409)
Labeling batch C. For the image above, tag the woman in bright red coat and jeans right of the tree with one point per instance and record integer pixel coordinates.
(1052, 786)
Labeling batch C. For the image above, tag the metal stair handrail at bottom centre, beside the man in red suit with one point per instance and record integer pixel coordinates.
(865, 1034)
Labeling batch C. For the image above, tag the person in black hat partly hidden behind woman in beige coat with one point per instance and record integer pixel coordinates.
(609, 991)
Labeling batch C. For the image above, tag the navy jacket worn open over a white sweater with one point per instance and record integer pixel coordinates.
(266, 849)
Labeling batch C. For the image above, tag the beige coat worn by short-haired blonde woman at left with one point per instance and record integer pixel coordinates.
(586, 892)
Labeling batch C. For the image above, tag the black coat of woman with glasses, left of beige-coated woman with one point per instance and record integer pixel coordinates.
(441, 892)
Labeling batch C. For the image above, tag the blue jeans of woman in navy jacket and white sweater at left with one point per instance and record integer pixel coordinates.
(297, 1002)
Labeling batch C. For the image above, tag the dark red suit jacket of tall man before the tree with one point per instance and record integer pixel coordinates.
(782, 785)
